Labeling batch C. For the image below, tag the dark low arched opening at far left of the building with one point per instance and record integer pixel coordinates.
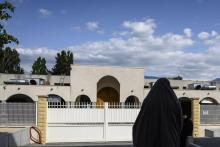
(19, 98)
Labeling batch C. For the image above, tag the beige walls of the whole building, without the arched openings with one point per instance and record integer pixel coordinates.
(84, 80)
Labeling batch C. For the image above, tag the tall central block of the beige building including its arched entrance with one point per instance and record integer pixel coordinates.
(113, 84)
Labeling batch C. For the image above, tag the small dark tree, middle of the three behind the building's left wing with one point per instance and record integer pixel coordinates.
(39, 67)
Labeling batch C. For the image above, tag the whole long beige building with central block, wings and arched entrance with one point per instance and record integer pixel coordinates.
(98, 84)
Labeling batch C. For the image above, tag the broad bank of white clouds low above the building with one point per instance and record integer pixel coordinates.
(137, 45)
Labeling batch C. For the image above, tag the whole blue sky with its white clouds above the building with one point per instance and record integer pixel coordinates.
(167, 38)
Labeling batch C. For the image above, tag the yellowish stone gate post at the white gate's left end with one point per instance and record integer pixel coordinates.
(42, 117)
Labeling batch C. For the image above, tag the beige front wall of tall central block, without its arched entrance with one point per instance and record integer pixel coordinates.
(84, 80)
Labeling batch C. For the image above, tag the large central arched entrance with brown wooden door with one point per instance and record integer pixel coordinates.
(108, 90)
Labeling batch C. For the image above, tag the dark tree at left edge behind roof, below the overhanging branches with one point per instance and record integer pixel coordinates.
(10, 61)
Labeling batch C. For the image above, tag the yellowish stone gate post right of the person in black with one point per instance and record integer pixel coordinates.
(195, 116)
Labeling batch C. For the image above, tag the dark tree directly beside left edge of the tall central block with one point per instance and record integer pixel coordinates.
(63, 63)
